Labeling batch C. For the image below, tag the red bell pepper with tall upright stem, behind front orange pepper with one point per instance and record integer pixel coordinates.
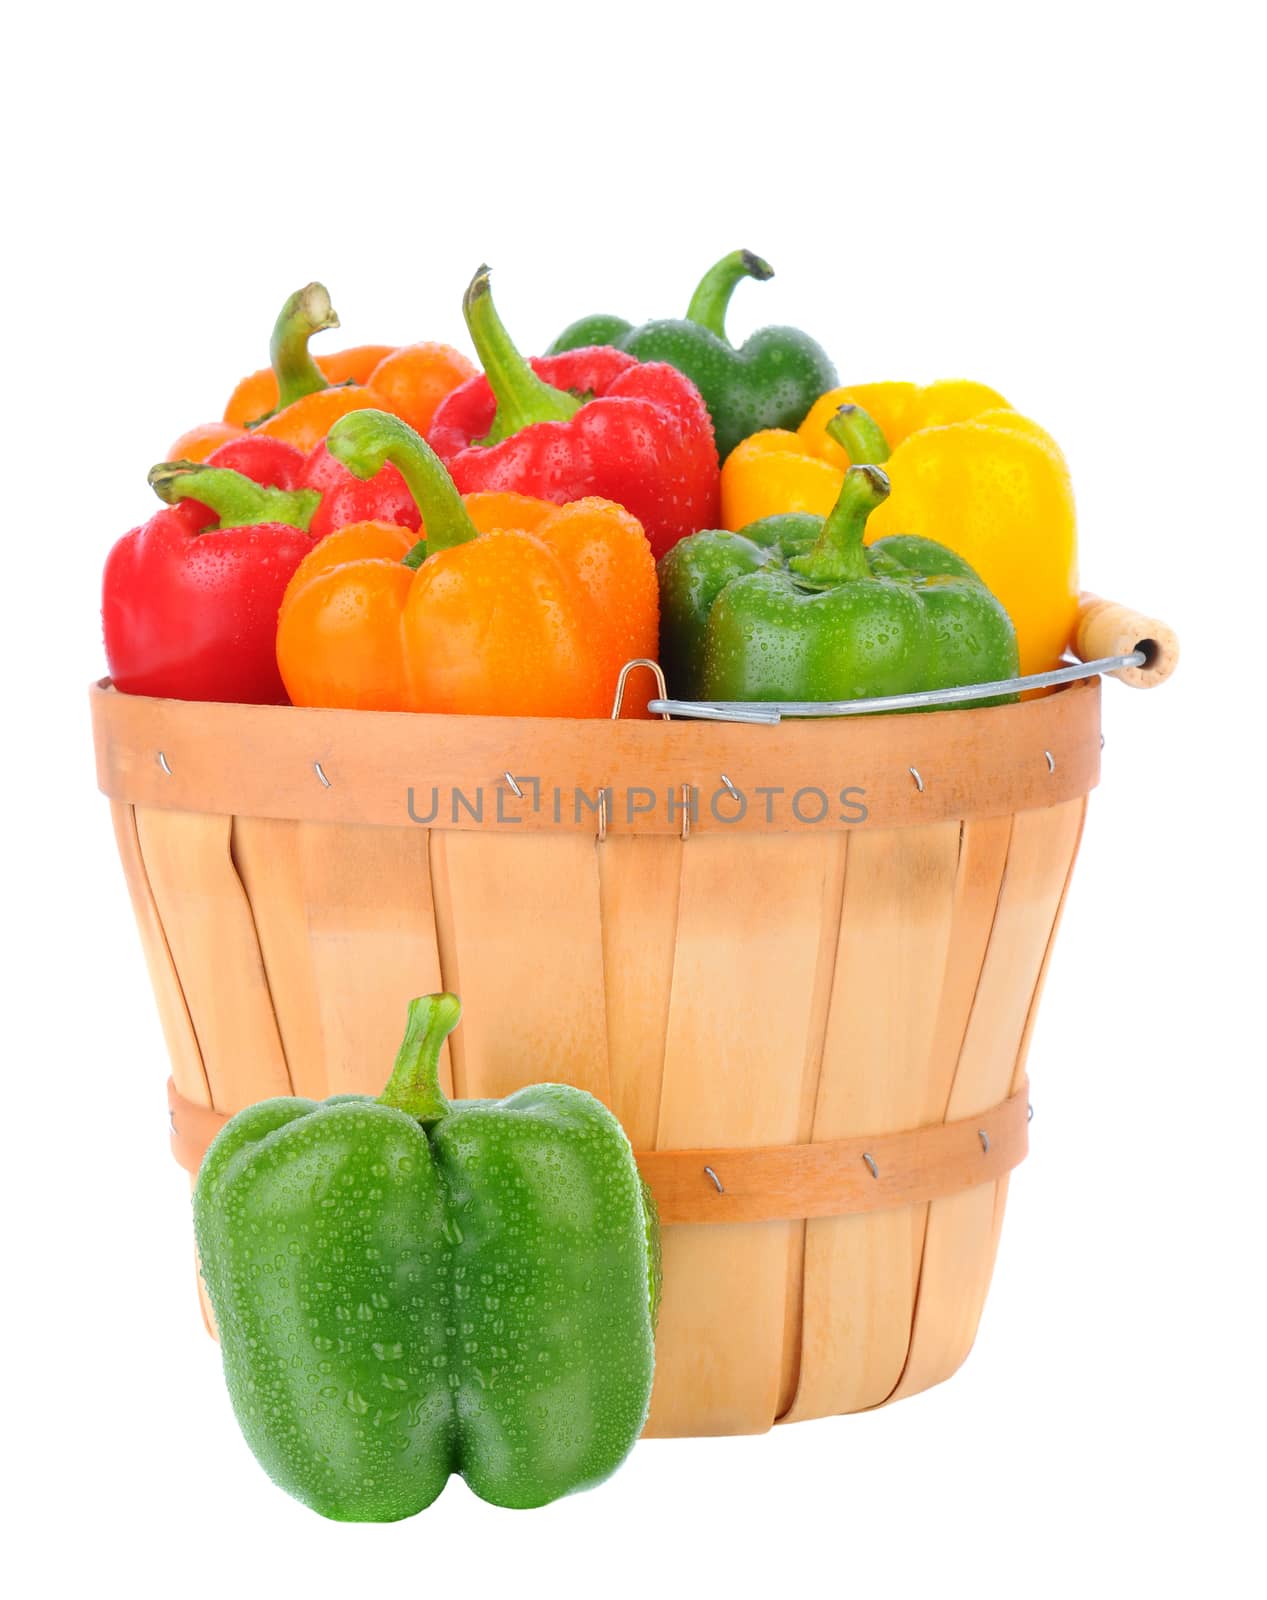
(641, 436)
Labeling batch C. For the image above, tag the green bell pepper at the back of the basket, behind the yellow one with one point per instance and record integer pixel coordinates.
(770, 382)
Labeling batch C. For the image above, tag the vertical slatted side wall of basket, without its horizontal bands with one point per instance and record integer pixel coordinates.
(732, 991)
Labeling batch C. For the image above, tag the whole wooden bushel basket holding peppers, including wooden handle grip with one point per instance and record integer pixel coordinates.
(802, 967)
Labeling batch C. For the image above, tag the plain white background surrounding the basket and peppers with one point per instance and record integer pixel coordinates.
(1060, 201)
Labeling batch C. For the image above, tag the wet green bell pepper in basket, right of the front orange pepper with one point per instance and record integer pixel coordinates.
(799, 609)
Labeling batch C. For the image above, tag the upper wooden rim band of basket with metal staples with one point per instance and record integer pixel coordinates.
(262, 761)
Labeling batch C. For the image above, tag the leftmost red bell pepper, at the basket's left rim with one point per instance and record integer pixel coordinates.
(191, 598)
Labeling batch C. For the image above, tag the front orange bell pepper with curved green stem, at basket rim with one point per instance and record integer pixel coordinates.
(513, 607)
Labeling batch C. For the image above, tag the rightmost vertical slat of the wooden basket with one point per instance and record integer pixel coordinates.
(962, 1231)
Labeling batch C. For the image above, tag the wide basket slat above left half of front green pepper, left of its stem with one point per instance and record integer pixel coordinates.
(348, 934)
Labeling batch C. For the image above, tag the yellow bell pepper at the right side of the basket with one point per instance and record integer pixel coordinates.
(965, 470)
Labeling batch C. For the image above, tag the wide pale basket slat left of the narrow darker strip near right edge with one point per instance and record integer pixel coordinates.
(861, 1271)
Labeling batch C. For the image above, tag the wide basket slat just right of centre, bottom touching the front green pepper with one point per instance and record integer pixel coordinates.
(756, 922)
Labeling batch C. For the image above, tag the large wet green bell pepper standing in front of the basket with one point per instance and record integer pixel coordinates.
(414, 1287)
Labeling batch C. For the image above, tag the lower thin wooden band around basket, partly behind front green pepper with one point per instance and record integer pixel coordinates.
(778, 1183)
